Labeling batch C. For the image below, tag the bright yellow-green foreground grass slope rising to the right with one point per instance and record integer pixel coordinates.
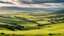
(59, 28)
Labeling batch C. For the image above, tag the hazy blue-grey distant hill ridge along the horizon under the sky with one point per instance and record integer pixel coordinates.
(30, 9)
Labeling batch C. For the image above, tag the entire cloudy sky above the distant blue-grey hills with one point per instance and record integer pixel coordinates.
(32, 3)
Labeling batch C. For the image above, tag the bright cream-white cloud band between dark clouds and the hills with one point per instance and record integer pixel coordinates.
(42, 5)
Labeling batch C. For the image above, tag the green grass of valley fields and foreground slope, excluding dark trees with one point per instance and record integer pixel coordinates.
(47, 30)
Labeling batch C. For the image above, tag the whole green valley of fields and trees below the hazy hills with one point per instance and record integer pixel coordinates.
(29, 24)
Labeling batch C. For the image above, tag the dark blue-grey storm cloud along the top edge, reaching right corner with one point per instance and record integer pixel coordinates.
(40, 1)
